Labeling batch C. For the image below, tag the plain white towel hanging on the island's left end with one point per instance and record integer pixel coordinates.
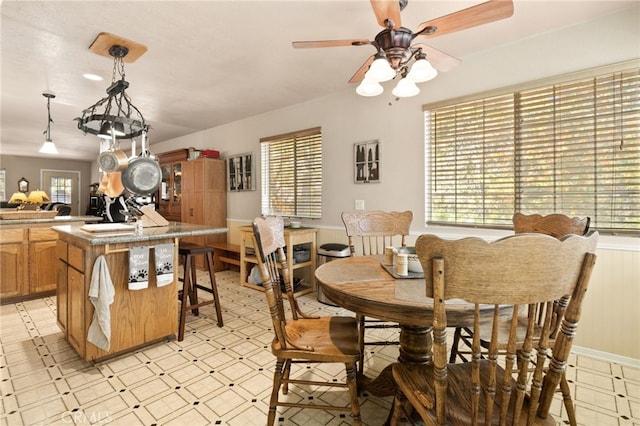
(101, 294)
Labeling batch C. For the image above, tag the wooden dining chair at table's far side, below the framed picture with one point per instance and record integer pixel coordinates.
(369, 233)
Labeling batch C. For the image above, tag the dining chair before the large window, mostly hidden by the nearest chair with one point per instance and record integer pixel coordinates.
(556, 225)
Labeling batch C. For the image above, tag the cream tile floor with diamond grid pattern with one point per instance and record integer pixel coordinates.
(218, 376)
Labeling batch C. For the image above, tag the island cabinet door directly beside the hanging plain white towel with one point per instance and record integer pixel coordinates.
(77, 297)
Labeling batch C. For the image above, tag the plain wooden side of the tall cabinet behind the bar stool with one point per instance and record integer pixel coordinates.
(204, 198)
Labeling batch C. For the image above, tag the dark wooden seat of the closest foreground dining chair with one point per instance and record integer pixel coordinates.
(410, 378)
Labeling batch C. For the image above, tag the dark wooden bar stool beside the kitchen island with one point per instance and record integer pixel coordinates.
(190, 284)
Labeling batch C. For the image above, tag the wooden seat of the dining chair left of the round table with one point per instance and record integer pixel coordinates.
(313, 332)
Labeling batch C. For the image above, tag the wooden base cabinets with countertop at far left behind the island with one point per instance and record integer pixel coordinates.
(28, 253)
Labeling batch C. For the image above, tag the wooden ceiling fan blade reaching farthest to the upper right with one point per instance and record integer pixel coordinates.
(483, 13)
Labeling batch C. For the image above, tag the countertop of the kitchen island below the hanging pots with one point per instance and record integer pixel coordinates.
(173, 230)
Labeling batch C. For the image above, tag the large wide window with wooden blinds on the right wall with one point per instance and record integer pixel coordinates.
(569, 147)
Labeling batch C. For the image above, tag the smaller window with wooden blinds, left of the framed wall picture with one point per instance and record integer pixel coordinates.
(292, 174)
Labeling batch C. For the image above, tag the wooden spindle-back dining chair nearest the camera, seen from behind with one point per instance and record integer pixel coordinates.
(511, 274)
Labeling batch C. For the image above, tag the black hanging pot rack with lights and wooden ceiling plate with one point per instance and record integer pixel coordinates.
(115, 116)
